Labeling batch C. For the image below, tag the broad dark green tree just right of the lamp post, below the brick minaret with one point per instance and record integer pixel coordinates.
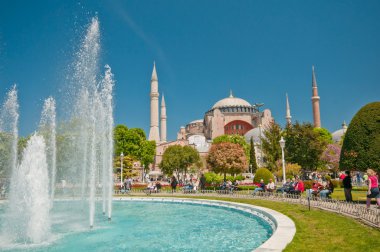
(303, 146)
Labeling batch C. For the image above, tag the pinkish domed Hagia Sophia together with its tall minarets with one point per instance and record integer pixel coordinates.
(230, 115)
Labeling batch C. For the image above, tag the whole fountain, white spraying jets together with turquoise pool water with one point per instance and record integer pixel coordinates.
(79, 151)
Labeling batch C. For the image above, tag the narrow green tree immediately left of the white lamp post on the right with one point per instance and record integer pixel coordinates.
(271, 146)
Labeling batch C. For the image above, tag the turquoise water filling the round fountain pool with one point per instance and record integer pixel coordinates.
(153, 226)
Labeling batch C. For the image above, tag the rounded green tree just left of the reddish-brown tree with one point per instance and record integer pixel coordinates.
(178, 159)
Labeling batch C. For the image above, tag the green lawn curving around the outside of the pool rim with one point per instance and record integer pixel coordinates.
(319, 230)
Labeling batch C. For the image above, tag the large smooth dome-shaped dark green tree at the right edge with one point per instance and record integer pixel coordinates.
(361, 145)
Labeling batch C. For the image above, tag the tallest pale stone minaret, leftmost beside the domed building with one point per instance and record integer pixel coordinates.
(154, 131)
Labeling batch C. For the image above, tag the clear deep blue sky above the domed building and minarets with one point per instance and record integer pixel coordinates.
(259, 49)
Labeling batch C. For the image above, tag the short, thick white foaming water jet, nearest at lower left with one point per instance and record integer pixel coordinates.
(29, 203)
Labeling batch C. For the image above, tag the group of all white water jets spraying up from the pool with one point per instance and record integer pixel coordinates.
(89, 148)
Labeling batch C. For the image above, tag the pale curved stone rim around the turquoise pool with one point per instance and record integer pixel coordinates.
(283, 232)
